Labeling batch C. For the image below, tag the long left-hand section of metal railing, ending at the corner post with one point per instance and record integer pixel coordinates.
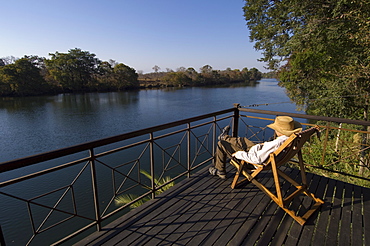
(63, 193)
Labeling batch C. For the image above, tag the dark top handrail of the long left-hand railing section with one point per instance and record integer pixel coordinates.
(26, 161)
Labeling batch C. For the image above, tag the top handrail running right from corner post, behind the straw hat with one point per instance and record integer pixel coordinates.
(309, 117)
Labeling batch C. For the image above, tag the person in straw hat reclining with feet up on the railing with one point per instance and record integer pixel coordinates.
(244, 149)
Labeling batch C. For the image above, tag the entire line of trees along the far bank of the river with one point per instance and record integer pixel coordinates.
(81, 71)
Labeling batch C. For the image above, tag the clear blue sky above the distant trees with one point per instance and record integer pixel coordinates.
(138, 33)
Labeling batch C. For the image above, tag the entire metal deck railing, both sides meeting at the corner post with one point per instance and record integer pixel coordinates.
(66, 194)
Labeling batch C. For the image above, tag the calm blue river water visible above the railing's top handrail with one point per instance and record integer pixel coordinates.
(33, 125)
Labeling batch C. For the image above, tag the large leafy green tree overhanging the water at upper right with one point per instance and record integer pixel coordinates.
(321, 50)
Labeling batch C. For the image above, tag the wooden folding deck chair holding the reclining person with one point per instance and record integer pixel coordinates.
(291, 147)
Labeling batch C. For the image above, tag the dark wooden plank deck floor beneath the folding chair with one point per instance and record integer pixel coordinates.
(204, 210)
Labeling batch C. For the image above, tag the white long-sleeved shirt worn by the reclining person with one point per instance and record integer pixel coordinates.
(260, 152)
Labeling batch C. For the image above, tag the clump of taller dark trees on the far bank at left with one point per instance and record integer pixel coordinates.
(75, 71)
